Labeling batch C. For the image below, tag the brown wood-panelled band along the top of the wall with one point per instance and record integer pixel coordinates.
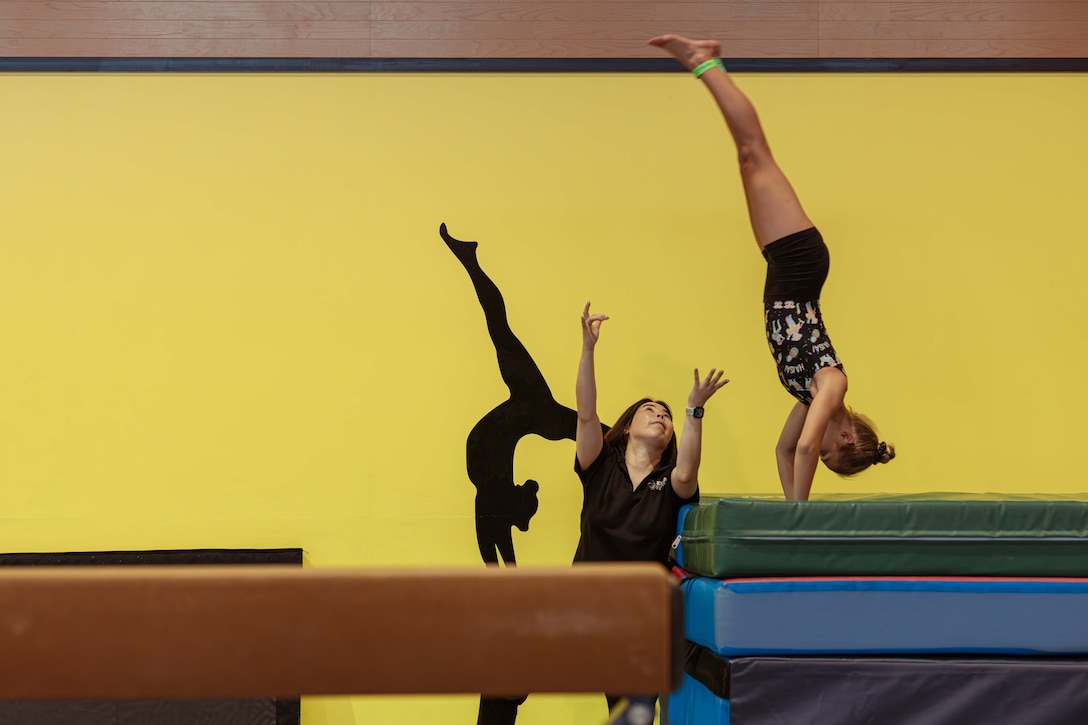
(570, 29)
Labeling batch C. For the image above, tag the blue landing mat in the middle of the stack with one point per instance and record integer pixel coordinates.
(894, 616)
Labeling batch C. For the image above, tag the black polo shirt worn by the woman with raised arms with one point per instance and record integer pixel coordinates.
(622, 523)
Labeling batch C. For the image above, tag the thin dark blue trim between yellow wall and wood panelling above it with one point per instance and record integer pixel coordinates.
(537, 65)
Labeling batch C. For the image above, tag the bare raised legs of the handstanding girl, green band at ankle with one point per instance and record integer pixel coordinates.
(774, 208)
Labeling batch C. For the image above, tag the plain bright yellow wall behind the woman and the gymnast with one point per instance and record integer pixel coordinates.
(228, 318)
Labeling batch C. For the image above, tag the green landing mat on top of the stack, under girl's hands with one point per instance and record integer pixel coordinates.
(919, 535)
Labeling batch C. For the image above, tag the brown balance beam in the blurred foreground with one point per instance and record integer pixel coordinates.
(160, 633)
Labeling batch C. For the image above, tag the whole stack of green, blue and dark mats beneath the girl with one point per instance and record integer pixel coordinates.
(923, 610)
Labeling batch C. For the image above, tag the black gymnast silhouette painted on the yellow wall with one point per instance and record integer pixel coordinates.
(501, 505)
